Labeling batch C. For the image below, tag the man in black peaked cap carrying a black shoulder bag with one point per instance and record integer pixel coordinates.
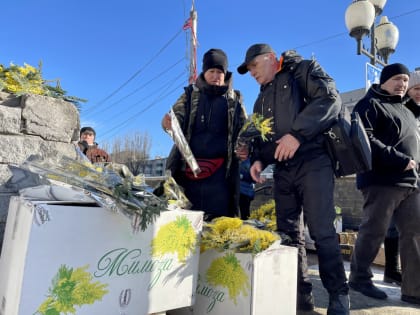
(303, 102)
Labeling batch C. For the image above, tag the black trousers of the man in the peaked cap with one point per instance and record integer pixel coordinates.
(308, 186)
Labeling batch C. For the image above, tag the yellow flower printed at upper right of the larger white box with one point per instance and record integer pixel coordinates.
(175, 237)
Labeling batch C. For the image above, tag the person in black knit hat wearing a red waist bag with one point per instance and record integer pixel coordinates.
(211, 115)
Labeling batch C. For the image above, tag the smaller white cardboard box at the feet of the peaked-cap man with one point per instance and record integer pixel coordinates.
(270, 288)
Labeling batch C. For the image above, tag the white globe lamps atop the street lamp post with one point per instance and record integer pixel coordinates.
(360, 21)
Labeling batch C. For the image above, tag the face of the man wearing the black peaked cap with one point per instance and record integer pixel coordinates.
(262, 68)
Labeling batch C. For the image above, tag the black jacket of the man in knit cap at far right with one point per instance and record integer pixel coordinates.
(394, 138)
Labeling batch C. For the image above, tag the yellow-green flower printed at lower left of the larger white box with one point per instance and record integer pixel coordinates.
(71, 288)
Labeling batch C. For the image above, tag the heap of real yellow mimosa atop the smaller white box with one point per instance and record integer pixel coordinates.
(232, 233)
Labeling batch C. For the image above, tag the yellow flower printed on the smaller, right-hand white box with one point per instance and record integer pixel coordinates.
(226, 271)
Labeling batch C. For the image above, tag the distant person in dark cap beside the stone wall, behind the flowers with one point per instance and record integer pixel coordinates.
(90, 148)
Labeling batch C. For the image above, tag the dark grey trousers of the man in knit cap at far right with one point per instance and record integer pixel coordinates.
(381, 205)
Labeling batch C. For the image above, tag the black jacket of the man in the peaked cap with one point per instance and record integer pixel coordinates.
(303, 102)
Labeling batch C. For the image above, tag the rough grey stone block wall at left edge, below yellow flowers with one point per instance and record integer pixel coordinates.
(32, 124)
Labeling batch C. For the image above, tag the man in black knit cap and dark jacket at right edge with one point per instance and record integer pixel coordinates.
(390, 189)
